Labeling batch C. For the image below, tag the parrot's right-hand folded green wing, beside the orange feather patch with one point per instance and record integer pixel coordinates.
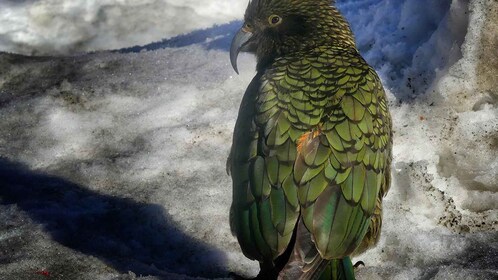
(341, 164)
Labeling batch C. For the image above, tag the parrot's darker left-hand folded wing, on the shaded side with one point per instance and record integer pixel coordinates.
(264, 210)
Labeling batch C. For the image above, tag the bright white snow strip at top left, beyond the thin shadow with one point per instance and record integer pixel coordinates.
(68, 26)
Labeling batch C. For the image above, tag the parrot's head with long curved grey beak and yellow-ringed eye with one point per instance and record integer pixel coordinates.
(273, 28)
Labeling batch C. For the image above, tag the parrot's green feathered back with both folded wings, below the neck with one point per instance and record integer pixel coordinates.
(313, 140)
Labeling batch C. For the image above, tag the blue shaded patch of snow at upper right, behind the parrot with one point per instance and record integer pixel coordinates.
(405, 41)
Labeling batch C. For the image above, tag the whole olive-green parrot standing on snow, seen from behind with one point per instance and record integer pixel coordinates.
(312, 145)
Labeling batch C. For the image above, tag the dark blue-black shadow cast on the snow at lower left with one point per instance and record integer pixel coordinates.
(125, 234)
